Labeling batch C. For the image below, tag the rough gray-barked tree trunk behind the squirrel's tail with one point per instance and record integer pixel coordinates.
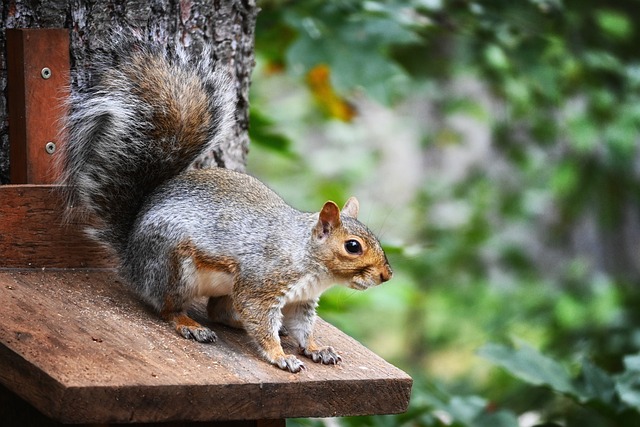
(227, 25)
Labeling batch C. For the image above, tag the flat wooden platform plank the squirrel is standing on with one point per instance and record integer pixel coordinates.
(79, 347)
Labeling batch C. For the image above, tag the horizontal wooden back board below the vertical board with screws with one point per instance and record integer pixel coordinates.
(32, 233)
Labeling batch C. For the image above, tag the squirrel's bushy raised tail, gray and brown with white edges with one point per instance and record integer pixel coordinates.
(144, 119)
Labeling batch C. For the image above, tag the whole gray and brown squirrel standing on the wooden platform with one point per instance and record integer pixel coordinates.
(181, 233)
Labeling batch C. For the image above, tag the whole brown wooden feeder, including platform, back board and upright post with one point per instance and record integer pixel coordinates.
(78, 347)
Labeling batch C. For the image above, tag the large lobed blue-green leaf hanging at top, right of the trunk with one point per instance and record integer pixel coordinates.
(356, 44)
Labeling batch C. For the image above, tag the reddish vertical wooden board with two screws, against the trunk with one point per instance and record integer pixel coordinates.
(38, 86)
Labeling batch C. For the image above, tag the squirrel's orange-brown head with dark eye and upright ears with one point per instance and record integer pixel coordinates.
(349, 250)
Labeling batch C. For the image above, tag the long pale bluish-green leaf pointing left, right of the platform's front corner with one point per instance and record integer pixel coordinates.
(530, 366)
